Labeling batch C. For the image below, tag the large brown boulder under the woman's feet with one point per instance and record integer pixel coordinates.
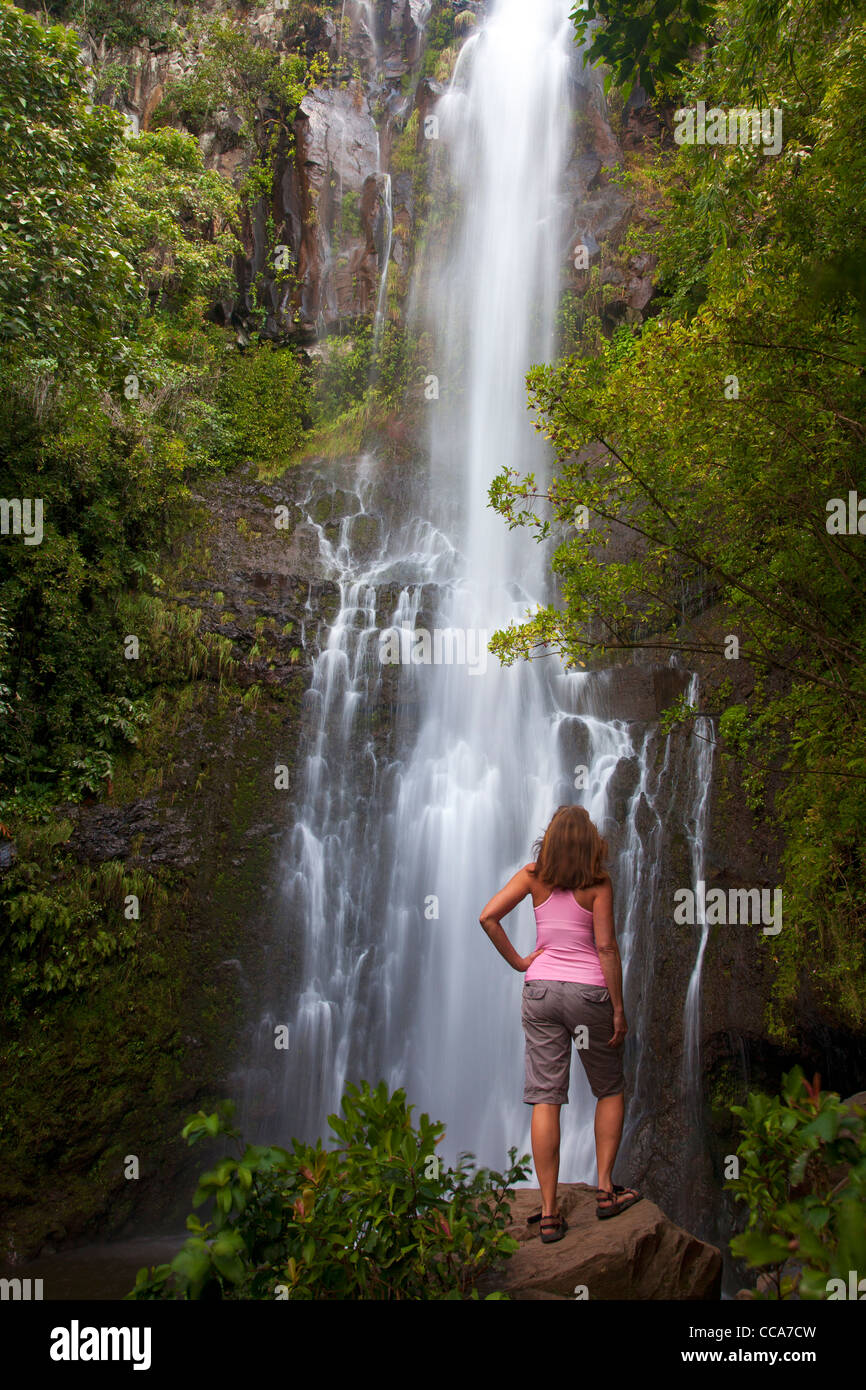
(639, 1254)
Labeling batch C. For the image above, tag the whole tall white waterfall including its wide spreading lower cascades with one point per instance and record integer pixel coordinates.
(405, 826)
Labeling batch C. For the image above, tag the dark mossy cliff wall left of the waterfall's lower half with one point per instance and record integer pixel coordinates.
(112, 1068)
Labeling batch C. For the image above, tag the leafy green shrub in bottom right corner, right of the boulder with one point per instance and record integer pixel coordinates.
(806, 1223)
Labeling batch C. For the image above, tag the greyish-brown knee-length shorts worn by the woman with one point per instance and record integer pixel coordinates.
(553, 1013)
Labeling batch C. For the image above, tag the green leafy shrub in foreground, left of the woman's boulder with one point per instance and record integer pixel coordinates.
(376, 1217)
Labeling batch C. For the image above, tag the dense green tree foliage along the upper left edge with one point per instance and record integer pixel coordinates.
(115, 252)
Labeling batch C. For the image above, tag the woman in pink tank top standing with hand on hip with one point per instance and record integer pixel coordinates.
(573, 990)
